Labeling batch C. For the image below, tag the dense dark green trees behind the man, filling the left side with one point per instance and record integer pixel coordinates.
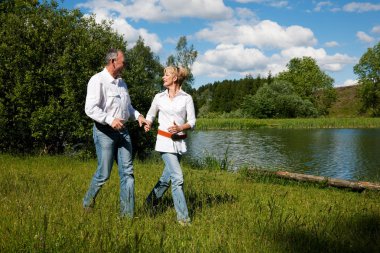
(47, 56)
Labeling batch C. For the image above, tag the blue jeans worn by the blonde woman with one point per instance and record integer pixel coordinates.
(173, 172)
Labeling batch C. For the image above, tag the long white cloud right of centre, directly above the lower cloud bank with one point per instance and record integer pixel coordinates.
(265, 34)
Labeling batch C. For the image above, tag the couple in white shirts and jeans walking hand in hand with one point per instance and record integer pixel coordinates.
(109, 105)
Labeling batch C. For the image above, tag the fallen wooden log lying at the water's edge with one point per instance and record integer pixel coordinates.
(354, 185)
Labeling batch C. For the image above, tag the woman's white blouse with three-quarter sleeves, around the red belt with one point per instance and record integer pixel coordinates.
(179, 110)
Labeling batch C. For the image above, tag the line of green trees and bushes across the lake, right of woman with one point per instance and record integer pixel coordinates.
(303, 90)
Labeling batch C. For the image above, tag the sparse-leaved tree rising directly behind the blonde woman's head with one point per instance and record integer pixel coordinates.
(185, 57)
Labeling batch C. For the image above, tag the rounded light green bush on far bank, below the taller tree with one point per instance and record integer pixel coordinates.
(277, 100)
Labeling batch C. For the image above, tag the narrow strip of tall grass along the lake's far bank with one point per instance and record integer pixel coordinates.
(246, 124)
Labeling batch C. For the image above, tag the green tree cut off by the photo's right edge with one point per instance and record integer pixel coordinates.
(368, 70)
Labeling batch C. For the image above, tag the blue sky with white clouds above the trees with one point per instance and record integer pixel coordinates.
(239, 37)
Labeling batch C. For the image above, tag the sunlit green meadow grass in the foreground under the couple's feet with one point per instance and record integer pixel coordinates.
(40, 211)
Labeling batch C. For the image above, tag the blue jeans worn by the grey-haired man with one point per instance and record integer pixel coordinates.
(112, 145)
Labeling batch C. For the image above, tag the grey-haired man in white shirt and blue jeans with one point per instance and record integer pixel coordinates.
(108, 103)
